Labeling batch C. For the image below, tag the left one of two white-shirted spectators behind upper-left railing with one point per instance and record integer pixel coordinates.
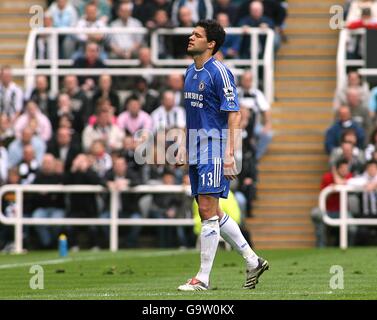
(90, 20)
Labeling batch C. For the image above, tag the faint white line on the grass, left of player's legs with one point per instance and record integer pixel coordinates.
(94, 257)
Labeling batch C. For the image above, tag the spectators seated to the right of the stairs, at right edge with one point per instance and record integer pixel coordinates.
(351, 140)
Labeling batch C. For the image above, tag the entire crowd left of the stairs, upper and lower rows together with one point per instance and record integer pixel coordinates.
(85, 134)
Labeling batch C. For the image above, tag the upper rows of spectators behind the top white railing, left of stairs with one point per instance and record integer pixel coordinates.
(158, 14)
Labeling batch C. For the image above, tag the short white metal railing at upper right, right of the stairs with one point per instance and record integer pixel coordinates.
(341, 61)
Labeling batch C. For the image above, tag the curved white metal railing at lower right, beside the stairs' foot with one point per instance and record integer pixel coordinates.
(344, 221)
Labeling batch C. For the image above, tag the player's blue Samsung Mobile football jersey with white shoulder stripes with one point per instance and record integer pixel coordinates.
(209, 94)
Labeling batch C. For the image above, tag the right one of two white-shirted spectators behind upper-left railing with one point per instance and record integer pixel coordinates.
(126, 45)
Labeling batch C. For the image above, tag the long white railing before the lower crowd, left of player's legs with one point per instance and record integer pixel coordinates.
(114, 221)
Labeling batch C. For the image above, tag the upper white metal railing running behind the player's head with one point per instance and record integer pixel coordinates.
(31, 63)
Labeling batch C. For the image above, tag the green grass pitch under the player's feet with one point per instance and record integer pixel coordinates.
(155, 274)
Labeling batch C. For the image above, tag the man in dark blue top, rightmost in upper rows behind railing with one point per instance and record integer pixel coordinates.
(257, 19)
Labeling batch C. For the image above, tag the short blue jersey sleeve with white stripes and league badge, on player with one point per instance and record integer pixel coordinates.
(225, 88)
